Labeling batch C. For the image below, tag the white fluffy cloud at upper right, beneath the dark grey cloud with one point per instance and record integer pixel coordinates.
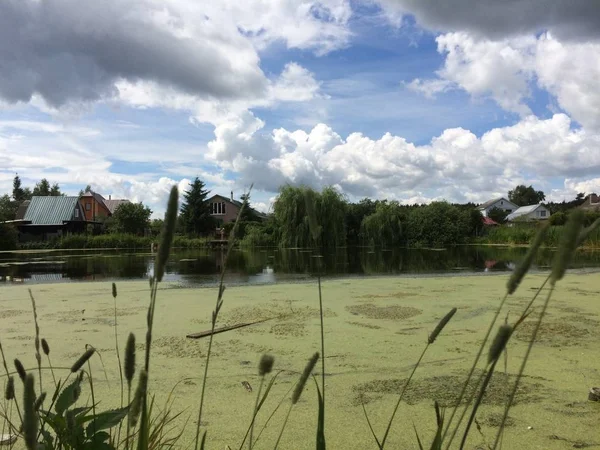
(506, 69)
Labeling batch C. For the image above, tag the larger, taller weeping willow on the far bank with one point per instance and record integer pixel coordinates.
(292, 217)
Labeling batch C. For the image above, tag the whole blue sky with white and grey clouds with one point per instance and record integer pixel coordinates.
(410, 100)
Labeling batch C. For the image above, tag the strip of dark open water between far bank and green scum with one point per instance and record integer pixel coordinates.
(272, 265)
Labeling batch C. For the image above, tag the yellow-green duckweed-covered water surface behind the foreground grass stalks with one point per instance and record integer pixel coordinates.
(375, 330)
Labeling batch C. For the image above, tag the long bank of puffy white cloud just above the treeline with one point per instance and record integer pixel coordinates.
(457, 165)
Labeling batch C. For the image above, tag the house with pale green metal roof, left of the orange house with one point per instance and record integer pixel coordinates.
(51, 216)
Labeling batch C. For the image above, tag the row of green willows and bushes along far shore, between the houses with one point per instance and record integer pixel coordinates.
(303, 217)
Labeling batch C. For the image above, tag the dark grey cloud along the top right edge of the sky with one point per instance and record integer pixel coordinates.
(567, 19)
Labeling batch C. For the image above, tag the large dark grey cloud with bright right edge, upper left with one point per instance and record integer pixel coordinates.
(73, 50)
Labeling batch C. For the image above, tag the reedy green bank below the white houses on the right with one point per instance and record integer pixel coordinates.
(524, 234)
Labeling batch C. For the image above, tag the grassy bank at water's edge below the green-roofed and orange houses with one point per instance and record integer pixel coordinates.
(110, 241)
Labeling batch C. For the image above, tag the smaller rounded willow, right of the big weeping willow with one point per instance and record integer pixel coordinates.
(385, 226)
